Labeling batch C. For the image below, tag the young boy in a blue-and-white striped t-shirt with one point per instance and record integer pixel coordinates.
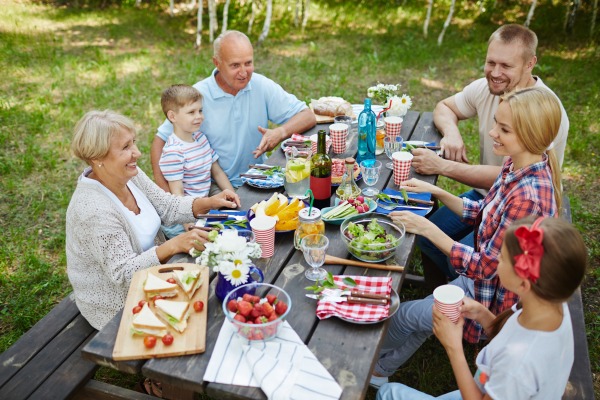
(187, 161)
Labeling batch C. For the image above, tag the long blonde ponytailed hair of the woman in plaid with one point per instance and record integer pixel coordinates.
(536, 117)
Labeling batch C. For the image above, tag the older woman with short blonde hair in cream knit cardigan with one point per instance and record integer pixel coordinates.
(114, 217)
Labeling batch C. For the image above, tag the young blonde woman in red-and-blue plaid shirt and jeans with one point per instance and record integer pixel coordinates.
(527, 122)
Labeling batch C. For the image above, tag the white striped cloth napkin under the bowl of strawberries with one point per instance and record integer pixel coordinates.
(284, 367)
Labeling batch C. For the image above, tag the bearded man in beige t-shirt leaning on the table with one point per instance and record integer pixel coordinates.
(510, 59)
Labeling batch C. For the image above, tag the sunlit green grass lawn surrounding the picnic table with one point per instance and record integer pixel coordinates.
(60, 62)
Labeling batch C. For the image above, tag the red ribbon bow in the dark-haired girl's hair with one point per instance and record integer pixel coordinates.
(527, 265)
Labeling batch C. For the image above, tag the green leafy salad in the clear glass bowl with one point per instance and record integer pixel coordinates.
(369, 238)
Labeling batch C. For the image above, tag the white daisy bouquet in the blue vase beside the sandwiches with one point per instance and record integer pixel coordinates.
(229, 254)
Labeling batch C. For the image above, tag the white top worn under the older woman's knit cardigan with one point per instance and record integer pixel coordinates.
(145, 224)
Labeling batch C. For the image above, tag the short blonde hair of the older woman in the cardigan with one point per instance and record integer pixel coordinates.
(94, 131)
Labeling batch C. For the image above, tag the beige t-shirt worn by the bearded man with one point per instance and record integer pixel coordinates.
(475, 100)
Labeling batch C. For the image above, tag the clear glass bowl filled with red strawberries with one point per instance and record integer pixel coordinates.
(257, 316)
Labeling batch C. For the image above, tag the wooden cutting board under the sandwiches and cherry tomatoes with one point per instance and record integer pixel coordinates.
(191, 341)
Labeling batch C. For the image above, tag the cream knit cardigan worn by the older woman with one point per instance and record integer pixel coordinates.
(103, 252)
